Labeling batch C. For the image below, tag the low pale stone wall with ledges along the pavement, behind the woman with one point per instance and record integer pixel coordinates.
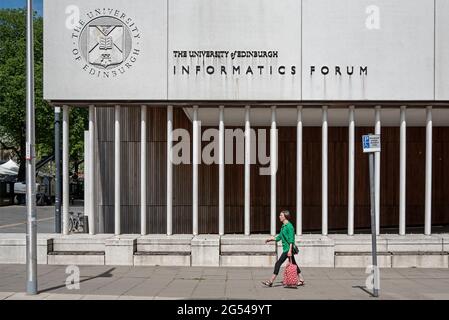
(412, 250)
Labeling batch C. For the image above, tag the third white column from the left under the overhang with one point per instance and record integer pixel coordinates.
(117, 171)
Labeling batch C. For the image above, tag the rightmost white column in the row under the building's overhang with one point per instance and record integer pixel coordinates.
(428, 192)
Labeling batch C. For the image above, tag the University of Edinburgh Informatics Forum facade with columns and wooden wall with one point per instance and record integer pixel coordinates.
(314, 75)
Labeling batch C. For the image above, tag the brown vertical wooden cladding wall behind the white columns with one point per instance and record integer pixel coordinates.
(260, 184)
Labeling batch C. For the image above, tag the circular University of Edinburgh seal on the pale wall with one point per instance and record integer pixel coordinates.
(108, 43)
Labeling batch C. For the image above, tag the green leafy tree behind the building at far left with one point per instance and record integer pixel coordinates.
(13, 93)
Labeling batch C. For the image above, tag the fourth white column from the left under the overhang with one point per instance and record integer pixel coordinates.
(143, 170)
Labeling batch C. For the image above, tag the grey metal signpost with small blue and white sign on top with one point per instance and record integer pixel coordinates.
(371, 144)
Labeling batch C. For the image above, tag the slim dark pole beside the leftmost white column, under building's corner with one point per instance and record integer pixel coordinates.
(58, 169)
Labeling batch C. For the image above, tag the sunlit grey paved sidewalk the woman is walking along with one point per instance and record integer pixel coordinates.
(152, 283)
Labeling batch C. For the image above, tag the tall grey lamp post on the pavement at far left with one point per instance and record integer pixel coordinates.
(31, 236)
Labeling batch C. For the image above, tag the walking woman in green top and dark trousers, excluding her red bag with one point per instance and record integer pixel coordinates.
(287, 235)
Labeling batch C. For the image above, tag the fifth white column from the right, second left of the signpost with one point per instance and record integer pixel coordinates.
(324, 171)
